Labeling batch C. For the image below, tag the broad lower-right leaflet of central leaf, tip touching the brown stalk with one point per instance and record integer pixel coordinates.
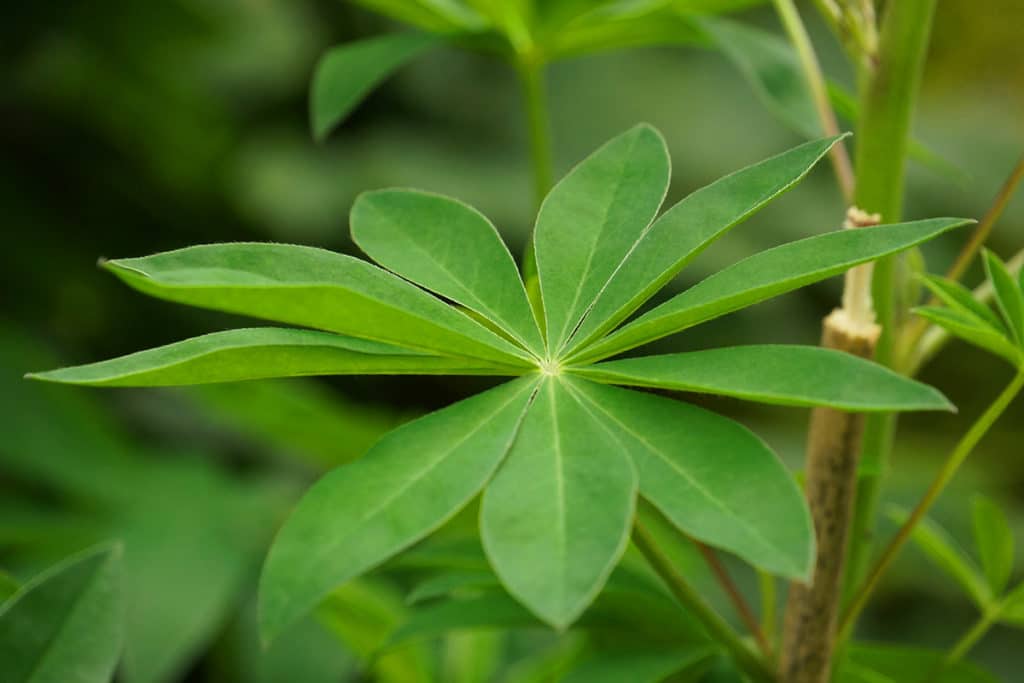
(711, 478)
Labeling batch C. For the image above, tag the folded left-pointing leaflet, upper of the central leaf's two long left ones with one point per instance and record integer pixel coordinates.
(314, 288)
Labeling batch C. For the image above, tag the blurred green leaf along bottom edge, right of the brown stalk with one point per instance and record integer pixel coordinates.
(888, 664)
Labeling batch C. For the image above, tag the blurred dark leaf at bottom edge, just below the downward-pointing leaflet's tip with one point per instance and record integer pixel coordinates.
(638, 667)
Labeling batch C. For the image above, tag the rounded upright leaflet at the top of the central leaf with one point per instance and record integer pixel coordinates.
(590, 222)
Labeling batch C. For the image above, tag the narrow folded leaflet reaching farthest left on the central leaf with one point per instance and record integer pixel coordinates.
(264, 353)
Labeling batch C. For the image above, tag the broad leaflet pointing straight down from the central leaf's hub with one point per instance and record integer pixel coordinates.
(559, 515)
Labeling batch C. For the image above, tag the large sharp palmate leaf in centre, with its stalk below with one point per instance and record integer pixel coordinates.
(560, 454)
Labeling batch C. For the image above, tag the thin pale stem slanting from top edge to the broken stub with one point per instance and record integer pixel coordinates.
(820, 94)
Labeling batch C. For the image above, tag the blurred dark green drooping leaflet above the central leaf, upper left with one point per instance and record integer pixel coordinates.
(348, 73)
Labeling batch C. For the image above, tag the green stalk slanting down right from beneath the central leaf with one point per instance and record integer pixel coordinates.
(717, 627)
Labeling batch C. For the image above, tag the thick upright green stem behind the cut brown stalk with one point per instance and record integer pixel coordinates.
(883, 139)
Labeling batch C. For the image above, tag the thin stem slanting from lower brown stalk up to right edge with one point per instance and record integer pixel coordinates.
(950, 468)
